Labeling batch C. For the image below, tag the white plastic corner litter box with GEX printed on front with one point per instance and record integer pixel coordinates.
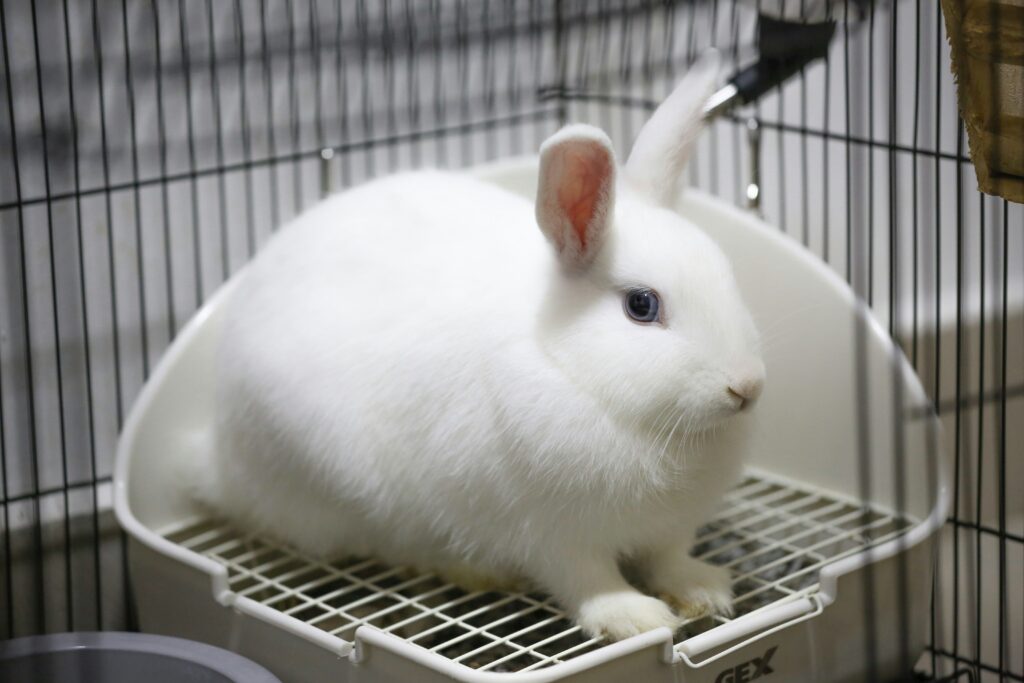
(843, 421)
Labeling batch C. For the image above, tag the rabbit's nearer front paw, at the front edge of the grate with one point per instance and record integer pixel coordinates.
(619, 616)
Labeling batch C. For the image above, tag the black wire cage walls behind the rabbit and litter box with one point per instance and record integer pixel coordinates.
(148, 148)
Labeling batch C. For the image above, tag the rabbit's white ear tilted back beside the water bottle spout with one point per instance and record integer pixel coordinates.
(667, 141)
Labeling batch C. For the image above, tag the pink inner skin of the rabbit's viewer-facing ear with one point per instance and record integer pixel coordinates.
(585, 190)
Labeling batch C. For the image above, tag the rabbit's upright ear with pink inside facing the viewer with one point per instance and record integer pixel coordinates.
(576, 193)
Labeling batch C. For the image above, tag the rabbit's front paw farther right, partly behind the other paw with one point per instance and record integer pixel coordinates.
(696, 589)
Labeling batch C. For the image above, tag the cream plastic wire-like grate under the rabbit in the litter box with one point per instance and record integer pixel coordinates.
(773, 535)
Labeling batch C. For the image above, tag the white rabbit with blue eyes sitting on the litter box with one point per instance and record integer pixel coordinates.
(413, 371)
